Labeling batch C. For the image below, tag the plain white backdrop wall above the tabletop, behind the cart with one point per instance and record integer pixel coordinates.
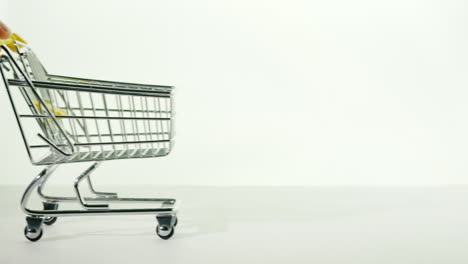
(269, 92)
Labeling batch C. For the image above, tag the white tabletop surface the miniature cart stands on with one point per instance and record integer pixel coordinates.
(257, 225)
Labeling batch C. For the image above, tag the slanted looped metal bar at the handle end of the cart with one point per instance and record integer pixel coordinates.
(41, 101)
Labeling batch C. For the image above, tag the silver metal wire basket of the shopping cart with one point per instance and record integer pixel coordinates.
(100, 120)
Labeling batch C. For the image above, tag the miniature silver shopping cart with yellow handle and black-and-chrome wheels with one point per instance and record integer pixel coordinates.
(68, 120)
